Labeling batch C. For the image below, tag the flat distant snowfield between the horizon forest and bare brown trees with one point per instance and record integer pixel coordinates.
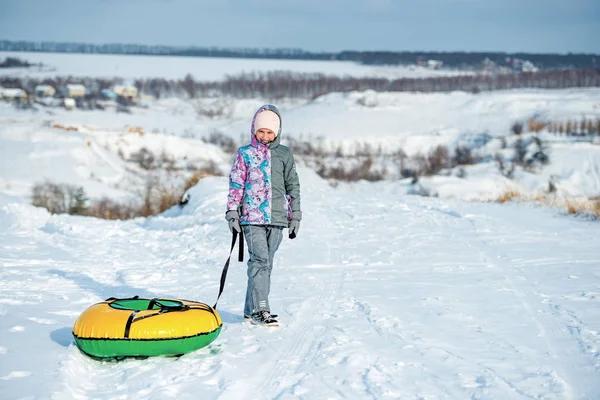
(202, 69)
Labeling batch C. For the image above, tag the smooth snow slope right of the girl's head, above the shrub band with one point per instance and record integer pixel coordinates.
(417, 122)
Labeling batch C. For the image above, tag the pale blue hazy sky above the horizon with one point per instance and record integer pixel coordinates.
(326, 25)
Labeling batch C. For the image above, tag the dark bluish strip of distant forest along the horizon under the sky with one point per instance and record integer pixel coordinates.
(455, 59)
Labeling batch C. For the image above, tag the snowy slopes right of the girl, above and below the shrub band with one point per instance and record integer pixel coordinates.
(416, 123)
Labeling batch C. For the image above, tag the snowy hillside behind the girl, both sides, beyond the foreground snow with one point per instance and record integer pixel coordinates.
(343, 124)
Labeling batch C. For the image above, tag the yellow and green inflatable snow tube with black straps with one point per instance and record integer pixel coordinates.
(134, 327)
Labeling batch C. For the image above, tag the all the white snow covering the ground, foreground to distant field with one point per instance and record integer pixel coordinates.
(382, 295)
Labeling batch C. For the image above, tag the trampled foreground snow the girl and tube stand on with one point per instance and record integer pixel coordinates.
(382, 295)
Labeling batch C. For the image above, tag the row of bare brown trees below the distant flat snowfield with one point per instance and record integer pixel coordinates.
(277, 85)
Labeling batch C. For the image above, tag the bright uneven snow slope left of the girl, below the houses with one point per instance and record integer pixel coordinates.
(35, 148)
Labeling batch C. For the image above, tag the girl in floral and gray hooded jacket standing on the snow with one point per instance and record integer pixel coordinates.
(264, 197)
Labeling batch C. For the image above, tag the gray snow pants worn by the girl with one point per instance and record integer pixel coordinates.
(263, 241)
